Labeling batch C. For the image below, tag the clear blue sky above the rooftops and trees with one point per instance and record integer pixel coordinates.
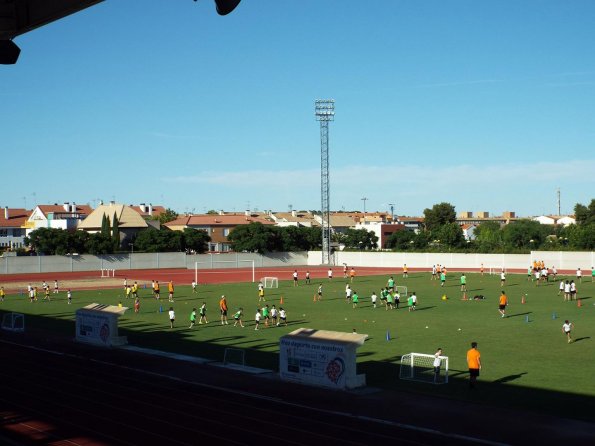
(487, 105)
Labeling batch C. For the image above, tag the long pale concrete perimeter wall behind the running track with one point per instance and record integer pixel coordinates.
(562, 260)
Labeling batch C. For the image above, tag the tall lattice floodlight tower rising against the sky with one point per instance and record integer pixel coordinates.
(325, 112)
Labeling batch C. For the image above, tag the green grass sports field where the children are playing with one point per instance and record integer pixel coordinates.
(526, 359)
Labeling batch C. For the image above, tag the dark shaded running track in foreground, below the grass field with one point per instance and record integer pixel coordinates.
(59, 392)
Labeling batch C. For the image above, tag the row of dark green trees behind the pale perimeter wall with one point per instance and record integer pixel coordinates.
(440, 232)
